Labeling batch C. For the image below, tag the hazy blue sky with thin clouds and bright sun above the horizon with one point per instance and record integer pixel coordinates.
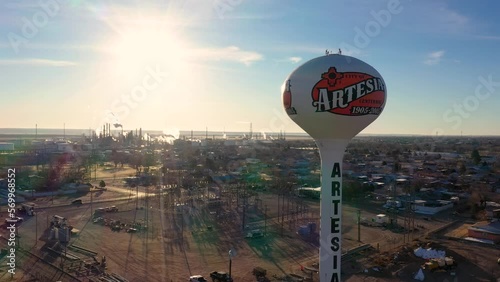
(220, 64)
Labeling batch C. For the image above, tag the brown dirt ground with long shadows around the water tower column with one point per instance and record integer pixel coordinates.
(185, 237)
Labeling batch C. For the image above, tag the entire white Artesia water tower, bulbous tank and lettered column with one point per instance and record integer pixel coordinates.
(333, 98)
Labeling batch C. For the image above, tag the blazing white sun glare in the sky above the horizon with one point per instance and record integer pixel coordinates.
(152, 50)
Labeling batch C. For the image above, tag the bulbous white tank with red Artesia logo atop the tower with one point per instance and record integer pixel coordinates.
(334, 96)
